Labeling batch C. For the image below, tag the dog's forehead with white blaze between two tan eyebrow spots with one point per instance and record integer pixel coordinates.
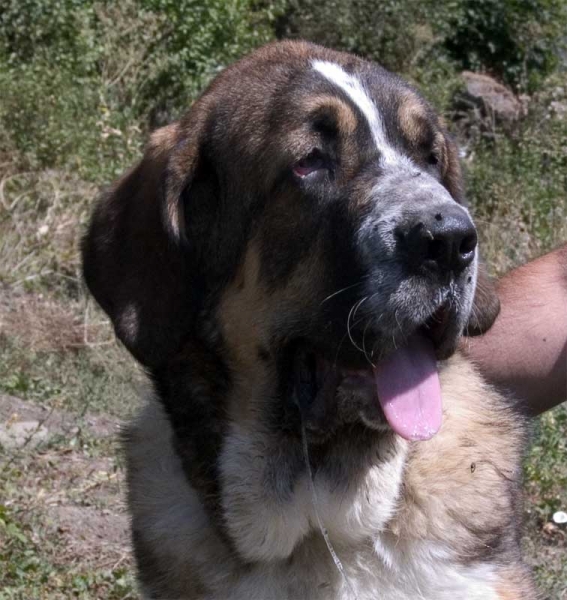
(386, 114)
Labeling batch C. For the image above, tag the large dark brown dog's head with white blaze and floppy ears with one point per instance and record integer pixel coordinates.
(276, 248)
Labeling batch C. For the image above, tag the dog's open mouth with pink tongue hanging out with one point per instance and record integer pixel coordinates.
(400, 390)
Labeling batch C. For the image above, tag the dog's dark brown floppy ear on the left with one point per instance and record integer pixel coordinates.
(137, 260)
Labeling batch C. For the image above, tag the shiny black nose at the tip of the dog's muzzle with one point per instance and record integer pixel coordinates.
(442, 239)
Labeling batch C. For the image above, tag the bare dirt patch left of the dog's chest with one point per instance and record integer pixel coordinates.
(69, 487)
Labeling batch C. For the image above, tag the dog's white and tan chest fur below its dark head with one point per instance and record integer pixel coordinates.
(392, 529)
